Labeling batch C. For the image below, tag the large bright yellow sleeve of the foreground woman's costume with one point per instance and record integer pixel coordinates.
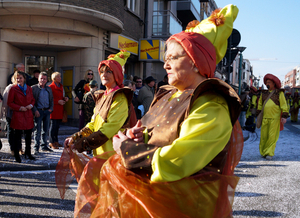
(202, 136)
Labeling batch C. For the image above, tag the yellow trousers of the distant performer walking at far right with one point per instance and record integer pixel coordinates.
(270, 129)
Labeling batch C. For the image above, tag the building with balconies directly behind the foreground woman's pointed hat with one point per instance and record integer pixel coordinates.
(163, 19)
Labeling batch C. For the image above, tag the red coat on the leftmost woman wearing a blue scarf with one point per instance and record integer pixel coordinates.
(20, 119)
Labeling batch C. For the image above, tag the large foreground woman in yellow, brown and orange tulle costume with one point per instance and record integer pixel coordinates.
(182, 164)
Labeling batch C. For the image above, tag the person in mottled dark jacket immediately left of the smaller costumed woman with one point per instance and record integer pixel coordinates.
(89, 102)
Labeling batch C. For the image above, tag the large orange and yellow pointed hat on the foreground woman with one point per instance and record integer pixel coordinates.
(205, 42)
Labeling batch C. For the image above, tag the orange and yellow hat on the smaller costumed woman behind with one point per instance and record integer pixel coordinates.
(115, 62)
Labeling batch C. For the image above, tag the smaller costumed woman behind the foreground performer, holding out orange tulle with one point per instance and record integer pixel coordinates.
(110, 115)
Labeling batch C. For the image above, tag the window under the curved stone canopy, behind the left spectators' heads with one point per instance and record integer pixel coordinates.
(42, 63)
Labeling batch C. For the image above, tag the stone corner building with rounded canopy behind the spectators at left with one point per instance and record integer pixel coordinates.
(68, 36)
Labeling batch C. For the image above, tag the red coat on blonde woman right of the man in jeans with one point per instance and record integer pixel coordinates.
(58, 94)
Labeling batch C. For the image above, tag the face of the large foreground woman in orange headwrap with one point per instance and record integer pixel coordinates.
(179, 67)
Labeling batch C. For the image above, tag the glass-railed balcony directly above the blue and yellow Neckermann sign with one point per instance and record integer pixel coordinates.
(165, 24)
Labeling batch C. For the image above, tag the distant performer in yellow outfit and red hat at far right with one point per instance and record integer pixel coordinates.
(274, 115)
